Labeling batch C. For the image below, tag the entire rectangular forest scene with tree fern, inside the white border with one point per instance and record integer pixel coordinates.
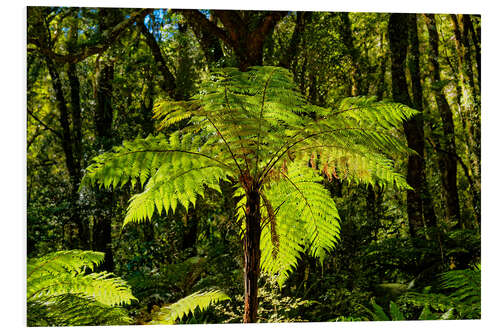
(226, 166)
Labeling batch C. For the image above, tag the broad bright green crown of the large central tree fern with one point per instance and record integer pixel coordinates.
(254, 129)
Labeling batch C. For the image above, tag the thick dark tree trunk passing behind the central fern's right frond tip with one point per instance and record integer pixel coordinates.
(398, 42)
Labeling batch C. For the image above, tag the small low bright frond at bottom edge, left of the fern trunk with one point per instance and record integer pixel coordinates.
(183, 307)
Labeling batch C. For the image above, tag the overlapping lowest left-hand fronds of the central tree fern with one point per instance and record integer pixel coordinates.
(176, 170)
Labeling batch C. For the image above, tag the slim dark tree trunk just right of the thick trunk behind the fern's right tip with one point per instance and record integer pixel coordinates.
(448, 161)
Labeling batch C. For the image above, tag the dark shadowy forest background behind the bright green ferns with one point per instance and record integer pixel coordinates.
(95, 74)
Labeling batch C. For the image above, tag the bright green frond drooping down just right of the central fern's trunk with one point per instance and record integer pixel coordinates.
(306, 220)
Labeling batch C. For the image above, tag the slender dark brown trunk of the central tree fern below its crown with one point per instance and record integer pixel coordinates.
(251, 246)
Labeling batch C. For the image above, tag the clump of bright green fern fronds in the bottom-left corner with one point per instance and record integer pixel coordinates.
(60, 293)
